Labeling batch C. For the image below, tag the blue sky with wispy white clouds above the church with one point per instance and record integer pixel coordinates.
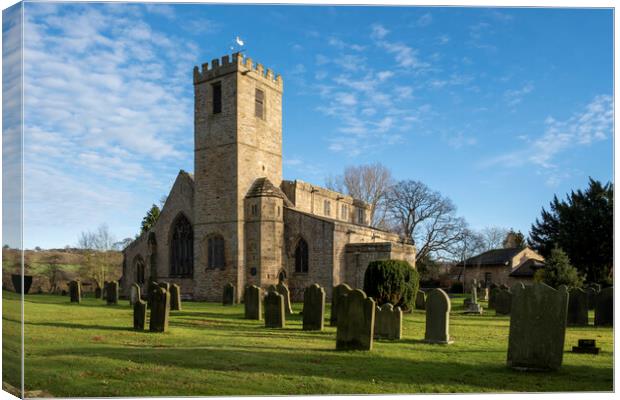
(498, 109)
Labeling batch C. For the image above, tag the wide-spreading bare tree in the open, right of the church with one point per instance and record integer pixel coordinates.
(426, 217)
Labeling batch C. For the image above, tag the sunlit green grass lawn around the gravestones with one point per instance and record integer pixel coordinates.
(91, 350)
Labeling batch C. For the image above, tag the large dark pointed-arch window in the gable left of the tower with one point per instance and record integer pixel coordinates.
(182, 248)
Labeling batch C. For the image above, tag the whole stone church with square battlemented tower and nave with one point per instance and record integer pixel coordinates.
(236, 220)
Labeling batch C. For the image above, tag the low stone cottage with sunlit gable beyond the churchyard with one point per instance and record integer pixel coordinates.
(506, 266)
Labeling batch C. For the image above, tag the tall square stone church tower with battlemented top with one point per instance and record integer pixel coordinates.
(237, 139)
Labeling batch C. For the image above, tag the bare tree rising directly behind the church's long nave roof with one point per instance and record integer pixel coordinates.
(369, 183)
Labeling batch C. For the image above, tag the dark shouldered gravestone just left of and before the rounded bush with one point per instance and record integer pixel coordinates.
(356, 322)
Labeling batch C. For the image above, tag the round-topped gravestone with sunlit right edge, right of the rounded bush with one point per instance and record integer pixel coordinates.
(437, 317)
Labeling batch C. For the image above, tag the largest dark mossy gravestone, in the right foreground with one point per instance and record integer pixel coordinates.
(537, 327)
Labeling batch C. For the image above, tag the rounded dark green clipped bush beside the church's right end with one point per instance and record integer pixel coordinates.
(392, 281)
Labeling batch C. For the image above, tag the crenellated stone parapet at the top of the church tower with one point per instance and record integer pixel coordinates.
(238, 62)
